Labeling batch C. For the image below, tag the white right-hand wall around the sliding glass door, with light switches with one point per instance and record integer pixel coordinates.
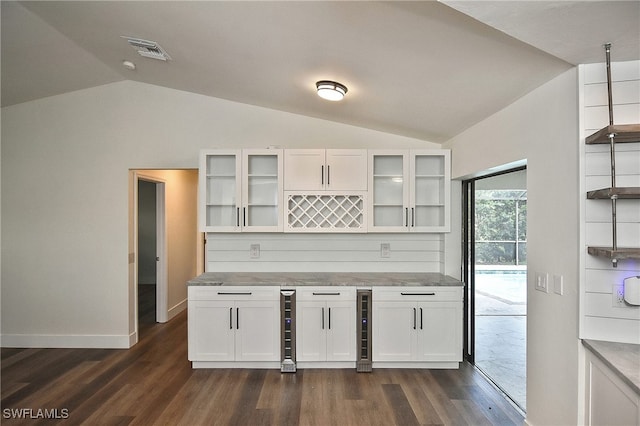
(541, 128)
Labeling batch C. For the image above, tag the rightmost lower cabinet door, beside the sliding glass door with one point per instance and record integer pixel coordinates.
(440, 331)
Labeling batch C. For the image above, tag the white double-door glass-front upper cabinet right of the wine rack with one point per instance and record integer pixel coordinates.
(409, 190)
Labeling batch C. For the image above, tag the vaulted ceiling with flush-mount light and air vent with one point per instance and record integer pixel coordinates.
(422, 69)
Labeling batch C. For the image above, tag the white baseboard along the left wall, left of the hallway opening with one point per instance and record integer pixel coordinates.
(67, 341)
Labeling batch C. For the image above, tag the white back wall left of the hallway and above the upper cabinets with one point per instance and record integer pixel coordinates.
(65, 195)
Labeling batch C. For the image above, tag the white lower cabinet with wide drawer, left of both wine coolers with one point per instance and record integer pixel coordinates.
(233, 326)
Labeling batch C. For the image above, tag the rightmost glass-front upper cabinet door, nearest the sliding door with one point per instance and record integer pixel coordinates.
(430, 176)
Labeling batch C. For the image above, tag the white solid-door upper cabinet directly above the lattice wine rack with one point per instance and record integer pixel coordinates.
(325, 170)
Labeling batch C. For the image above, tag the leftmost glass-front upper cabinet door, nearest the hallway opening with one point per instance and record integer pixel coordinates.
(220, 190)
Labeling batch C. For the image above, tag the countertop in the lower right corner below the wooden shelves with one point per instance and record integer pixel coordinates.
(622, 358)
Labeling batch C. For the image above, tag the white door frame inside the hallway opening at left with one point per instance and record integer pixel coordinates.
(162, 313)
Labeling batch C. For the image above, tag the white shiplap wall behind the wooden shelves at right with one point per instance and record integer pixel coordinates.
(599, 318)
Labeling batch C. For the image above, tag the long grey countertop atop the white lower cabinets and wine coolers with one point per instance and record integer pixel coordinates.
(324, 279)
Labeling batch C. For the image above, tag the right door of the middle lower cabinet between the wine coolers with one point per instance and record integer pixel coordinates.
(341, 328)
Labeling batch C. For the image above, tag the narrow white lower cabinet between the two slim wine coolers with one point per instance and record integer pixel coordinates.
(326, 326)
